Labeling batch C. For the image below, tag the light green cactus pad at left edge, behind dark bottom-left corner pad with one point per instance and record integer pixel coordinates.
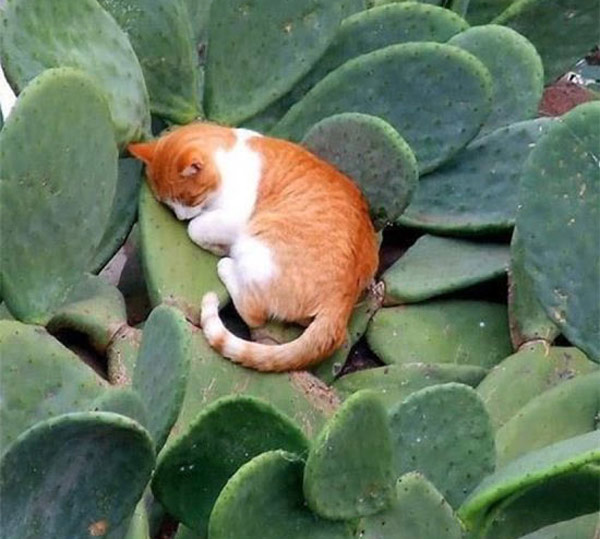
(40, 379)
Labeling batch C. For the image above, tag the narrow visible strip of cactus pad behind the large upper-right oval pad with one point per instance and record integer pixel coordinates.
(365, 32)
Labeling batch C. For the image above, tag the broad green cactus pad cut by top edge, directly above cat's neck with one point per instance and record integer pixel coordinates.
(281, 42)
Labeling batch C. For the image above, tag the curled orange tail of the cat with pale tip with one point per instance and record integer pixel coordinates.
(320, 339)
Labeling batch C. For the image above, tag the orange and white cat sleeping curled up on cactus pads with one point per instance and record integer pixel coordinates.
(298, 242)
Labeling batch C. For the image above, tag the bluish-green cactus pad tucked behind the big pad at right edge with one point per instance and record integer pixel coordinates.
(477, 191)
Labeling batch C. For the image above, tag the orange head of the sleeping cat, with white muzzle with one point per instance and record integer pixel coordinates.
(180, 166)
